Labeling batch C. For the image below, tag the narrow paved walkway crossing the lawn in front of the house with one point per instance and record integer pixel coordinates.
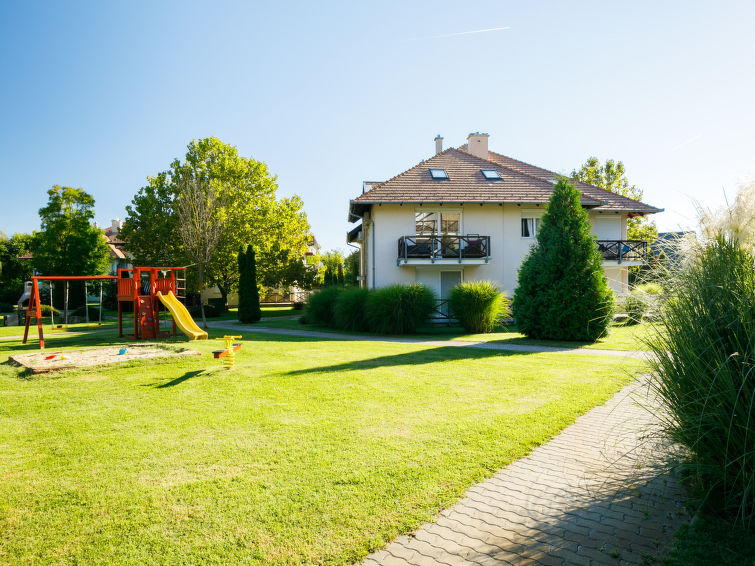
(424, 342)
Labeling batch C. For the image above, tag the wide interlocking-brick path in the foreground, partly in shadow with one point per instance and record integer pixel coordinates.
(595, 494)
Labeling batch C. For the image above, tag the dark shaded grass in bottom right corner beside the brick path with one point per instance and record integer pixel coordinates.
(712, 542)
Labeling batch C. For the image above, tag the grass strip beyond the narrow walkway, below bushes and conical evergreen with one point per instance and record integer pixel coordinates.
(620, 337)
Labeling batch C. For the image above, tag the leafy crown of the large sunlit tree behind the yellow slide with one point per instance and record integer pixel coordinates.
(251, 214)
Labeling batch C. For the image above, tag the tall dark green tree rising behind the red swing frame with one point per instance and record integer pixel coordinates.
(69, 243)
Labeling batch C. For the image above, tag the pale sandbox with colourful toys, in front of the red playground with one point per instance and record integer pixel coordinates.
(37, 362)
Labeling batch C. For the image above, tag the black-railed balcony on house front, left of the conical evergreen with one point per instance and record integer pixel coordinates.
(471, 249)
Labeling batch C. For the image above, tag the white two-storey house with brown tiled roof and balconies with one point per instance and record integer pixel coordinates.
(472, 214)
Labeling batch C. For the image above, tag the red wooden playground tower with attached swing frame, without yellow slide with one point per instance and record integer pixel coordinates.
(138, 285)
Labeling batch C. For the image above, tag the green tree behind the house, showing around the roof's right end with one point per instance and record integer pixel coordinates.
(612, 176)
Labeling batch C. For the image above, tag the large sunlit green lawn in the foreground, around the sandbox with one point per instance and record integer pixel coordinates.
(310, 451)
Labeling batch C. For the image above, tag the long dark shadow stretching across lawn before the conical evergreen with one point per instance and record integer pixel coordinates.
(439, 354)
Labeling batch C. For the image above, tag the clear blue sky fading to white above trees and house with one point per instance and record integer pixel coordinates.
(100, 95)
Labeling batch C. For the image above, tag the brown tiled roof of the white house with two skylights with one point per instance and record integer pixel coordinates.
(521, 184)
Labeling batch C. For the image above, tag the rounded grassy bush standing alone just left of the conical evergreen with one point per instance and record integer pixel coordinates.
(477, 305)
